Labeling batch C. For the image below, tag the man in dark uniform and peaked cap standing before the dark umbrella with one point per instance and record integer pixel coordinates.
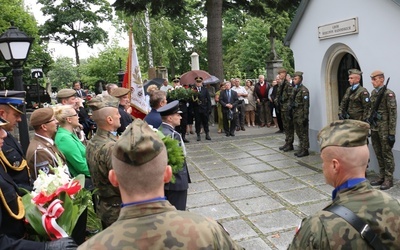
(202, 108)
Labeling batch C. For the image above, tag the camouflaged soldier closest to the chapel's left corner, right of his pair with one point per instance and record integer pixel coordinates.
(300, 106)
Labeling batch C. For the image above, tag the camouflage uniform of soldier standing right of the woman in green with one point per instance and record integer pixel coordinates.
(98, 154)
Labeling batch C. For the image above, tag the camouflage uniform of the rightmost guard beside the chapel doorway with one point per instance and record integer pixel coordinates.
(385, 126)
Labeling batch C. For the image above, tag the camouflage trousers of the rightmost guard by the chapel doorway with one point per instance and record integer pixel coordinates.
(383, 153)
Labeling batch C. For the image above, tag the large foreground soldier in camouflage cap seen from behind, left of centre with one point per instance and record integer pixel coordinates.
(147, 220)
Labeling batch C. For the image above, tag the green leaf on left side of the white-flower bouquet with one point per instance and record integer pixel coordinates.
(34, 216)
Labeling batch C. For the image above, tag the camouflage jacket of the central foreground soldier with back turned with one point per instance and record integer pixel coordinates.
(158, 225)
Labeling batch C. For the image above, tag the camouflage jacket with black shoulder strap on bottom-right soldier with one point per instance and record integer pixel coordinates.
(326, 230)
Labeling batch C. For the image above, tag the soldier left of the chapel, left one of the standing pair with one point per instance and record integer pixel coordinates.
(283, 101)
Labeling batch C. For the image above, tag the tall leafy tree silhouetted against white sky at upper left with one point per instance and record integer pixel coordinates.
(73, 22)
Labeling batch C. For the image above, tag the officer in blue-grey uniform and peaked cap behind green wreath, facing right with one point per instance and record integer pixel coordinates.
(176, 193)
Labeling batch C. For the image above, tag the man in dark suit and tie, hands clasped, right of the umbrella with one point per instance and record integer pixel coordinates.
(229, 101)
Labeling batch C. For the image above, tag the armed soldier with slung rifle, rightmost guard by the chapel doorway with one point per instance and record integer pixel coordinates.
(383, 130)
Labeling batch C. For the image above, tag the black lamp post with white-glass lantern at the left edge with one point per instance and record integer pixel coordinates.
(14, 49)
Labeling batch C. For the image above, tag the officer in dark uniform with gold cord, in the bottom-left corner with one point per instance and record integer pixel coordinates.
(12, 212)
